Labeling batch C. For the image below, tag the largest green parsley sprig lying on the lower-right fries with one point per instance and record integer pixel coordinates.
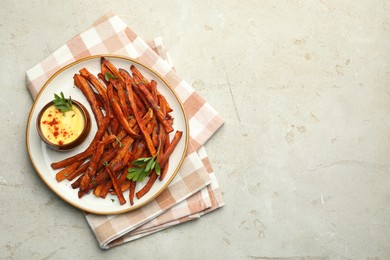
(143, 167)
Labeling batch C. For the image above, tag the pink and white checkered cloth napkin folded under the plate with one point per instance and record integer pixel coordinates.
(195, 190)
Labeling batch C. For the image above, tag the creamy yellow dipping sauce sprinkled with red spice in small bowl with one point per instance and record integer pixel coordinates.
(62, 128)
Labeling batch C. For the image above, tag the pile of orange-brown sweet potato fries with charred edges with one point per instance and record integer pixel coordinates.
(132, 141)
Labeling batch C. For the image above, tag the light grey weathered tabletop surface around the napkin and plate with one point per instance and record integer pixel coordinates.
(303, 156)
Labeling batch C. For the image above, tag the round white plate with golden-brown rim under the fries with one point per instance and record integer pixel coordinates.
(42, 156)
